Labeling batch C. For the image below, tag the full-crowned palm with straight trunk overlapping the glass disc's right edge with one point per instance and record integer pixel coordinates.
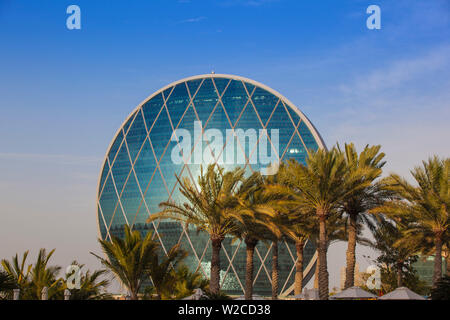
(322, 185)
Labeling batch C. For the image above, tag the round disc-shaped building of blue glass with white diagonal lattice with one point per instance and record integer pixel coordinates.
(214, 118)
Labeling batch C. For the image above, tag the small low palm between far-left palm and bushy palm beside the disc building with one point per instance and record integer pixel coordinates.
(92, 287)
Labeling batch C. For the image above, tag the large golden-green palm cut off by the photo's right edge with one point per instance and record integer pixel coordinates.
(427, 204)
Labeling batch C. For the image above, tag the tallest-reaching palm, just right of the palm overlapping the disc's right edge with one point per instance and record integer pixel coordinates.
(355, 208)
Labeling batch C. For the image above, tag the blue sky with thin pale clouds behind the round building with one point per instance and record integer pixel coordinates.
(64, 93)
